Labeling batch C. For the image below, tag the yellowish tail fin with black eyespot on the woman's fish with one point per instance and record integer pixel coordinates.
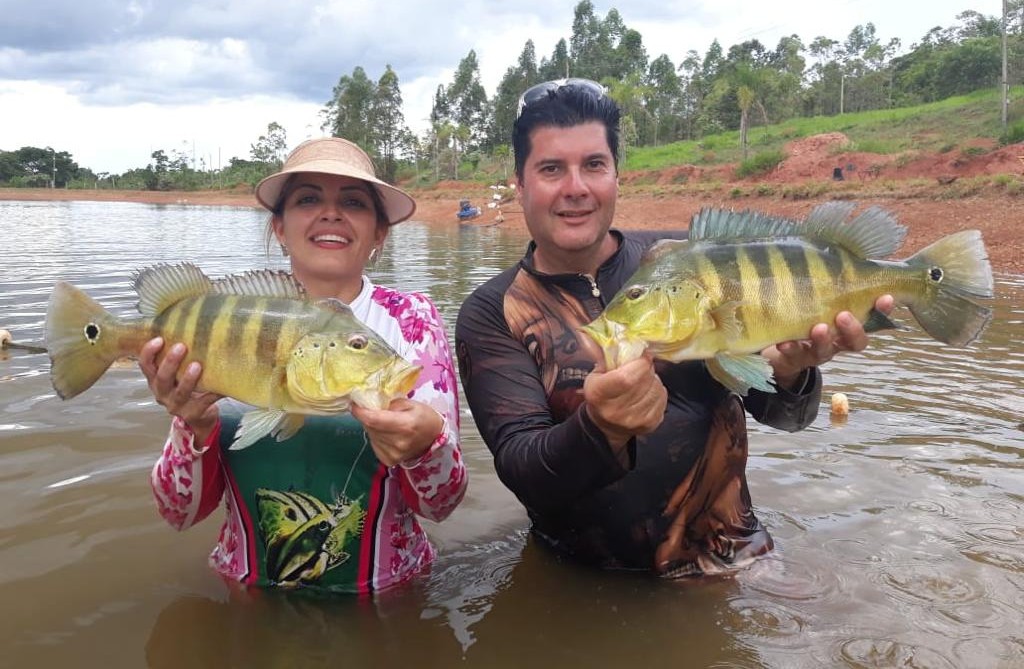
(81, 340)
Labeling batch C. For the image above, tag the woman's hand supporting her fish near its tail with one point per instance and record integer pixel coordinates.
(181, 399)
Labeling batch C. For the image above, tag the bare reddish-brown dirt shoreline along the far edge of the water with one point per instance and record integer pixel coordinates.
(998, 217)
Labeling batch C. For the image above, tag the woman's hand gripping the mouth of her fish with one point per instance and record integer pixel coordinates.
(403, 432)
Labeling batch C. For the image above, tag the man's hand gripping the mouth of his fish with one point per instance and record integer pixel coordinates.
(627, 401)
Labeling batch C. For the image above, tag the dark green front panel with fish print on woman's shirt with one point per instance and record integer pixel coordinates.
(306, 501)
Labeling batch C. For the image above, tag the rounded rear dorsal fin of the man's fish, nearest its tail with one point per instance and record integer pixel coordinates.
(873, 234)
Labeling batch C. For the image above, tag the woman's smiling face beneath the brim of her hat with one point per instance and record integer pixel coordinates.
(330, 227)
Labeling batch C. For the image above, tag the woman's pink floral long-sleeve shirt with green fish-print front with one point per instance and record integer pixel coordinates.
(319, 511)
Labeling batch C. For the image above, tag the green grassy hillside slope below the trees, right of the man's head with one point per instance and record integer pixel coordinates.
(937, 128)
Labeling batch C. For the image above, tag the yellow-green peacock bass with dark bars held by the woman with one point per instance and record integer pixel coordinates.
(259, 338)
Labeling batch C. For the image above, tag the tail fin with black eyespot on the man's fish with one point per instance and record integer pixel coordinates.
(958, 270)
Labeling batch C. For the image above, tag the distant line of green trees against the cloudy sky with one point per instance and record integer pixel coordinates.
(663, 102)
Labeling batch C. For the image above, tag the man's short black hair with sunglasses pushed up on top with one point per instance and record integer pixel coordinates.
(564, 104)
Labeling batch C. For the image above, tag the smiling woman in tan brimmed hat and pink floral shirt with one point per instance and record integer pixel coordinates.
(334, 508)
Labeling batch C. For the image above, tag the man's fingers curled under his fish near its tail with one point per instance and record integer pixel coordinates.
(790, 359)
